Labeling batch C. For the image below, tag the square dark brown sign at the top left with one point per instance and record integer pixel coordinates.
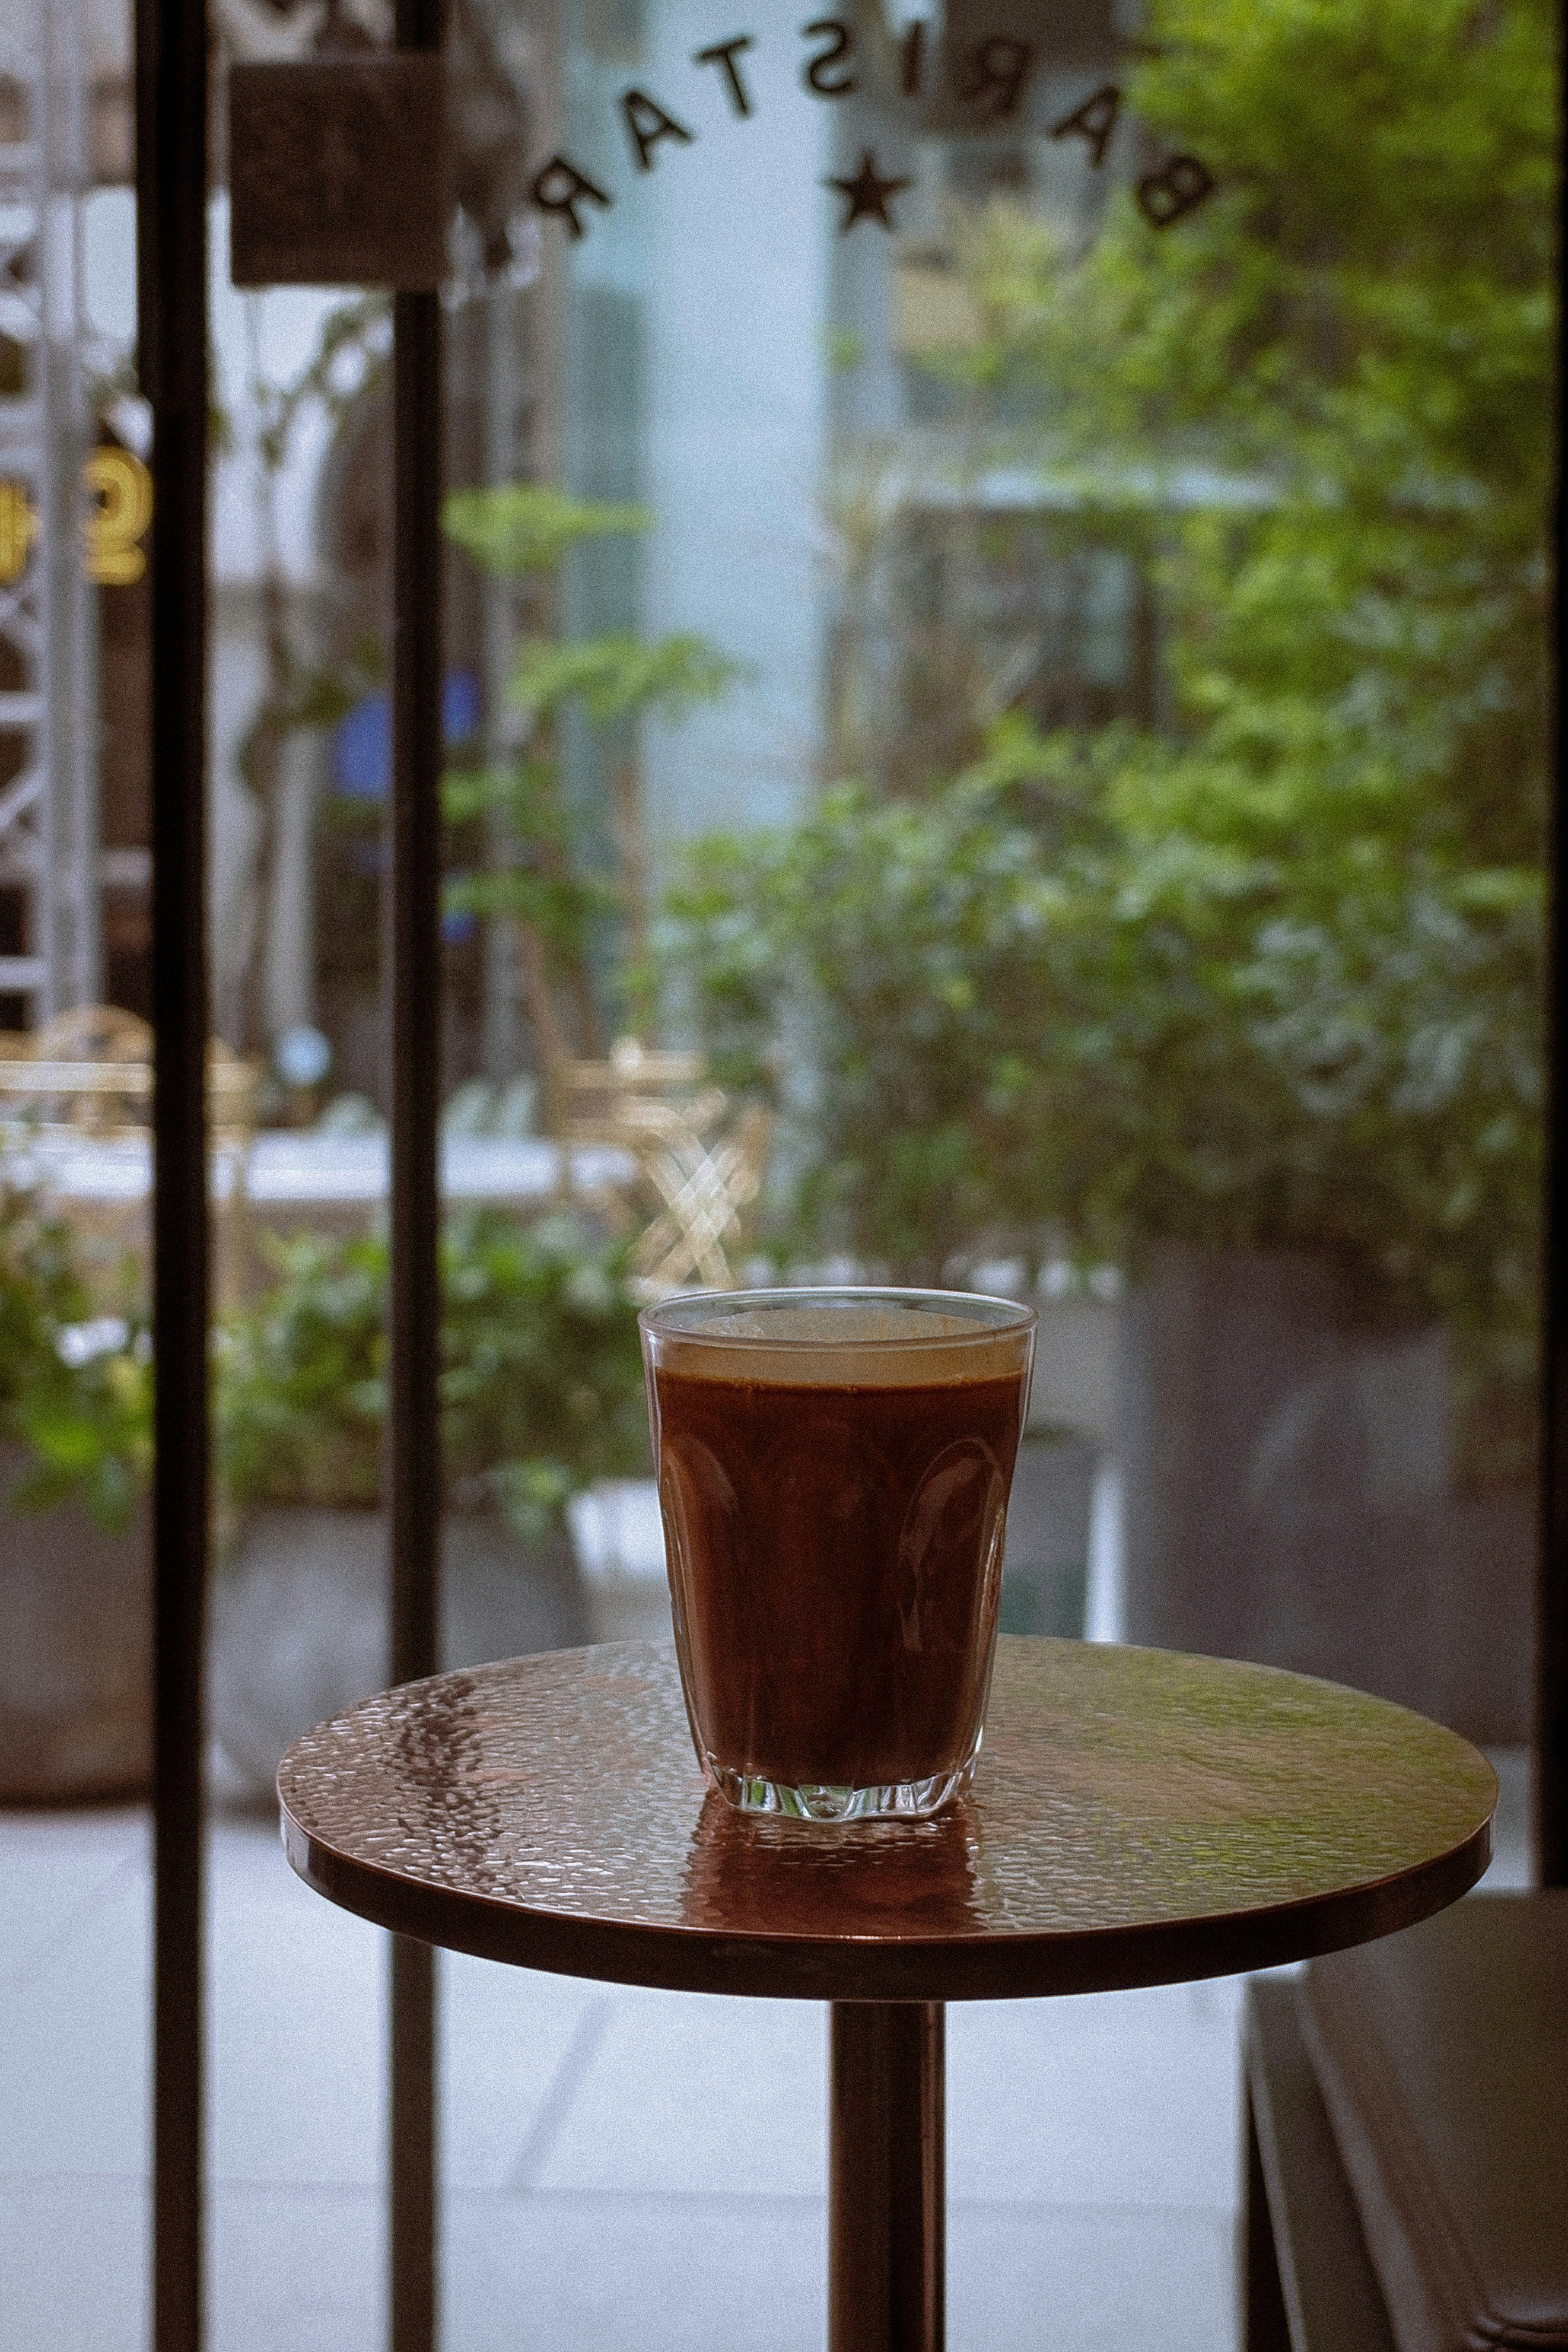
(337, 173)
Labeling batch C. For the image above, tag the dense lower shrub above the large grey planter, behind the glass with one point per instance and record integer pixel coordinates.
(1059, 1005)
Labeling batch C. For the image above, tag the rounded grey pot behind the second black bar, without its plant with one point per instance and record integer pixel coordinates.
(300, 1619)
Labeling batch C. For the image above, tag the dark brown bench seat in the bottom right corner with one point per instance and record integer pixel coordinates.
(1409, 2139)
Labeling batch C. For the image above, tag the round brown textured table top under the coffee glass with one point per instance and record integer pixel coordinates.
(1137, 1819)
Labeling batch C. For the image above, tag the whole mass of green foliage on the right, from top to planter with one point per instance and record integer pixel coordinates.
(1271, 977)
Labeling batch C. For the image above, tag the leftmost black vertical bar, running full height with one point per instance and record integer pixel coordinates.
(173, 328)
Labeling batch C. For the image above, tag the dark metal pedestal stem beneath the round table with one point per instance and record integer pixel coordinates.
(887, 2179)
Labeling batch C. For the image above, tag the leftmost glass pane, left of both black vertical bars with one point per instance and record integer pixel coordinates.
(74, 1194)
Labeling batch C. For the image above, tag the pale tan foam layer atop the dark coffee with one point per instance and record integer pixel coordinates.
(855, 1347)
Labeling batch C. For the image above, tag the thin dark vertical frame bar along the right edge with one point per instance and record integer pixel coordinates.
(1553, 1575)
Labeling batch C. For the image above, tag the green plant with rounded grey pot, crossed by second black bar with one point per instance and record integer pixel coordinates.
(540, 1396)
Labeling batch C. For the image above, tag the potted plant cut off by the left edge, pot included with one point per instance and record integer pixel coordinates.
(76, 1450)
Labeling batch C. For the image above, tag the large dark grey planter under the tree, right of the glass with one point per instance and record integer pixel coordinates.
(1289, 1495)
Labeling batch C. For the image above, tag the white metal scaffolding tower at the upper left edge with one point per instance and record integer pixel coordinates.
(48, 606)
